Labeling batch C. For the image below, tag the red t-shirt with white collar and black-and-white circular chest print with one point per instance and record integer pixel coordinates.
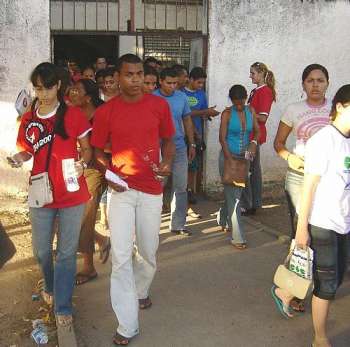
(34, 135)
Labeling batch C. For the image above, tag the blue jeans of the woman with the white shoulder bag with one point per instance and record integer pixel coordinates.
(59, 278)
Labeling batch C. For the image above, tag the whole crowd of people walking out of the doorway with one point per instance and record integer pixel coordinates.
(150, 127)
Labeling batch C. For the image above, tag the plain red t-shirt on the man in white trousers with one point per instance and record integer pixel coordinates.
(135, 131)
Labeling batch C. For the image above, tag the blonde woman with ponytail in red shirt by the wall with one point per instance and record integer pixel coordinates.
(260, 99)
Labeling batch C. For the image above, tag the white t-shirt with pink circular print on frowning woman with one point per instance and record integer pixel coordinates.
(305, 120)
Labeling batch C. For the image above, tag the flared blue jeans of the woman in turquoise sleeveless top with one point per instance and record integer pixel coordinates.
(230, 212)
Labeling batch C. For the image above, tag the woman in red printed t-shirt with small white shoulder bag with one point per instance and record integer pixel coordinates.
(49, 134)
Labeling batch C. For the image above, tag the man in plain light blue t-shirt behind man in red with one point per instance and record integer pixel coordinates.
(181, 113)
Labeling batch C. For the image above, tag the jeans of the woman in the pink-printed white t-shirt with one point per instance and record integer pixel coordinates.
(293, 186)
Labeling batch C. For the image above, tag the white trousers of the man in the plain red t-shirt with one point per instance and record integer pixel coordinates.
(132, 213)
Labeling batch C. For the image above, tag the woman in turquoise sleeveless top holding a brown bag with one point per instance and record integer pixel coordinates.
(238, 122)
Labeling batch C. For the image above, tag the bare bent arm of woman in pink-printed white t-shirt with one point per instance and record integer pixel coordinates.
(294, 161)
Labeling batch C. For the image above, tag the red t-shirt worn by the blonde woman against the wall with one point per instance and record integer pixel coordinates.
(261, 99)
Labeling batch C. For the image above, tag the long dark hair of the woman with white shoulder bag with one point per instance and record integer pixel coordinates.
(48, 74)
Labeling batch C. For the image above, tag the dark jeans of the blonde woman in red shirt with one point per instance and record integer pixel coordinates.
(252, 193)
